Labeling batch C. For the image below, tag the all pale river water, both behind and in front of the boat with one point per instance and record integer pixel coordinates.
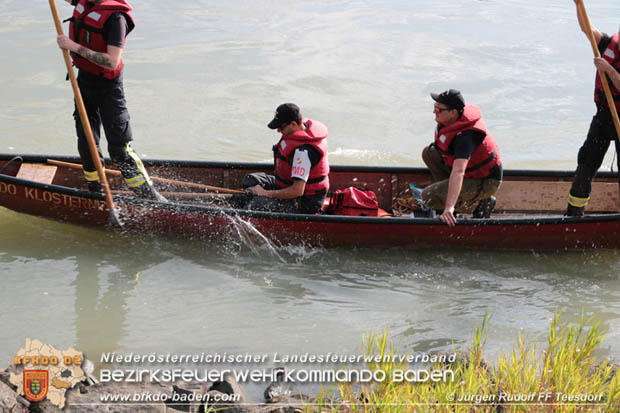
(202, 80)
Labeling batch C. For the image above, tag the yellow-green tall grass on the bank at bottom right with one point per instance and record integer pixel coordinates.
(552, 380)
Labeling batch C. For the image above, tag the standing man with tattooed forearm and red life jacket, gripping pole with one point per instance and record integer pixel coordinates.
(96, 39)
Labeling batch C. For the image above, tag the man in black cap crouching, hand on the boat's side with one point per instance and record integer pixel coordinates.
(464, 160)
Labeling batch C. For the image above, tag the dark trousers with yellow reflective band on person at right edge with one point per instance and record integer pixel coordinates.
(591, 154)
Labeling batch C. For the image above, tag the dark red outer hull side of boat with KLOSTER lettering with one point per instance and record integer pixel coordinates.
(78, 207)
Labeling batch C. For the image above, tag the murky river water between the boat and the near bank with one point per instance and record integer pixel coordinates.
(134, 293)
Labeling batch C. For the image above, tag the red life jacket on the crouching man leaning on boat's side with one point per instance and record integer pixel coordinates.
(486, 155)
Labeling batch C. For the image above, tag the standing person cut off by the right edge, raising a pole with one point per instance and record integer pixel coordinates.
(602, 130)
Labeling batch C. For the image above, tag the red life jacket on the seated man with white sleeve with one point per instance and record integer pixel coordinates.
(315, 134)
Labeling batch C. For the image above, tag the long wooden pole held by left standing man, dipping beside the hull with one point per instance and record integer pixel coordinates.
(86, 124)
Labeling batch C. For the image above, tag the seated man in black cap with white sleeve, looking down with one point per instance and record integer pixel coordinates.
(300, 181)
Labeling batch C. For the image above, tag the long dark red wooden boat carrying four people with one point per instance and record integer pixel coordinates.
(528, 215)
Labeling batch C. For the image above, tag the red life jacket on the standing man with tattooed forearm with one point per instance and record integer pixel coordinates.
(86, 29)
